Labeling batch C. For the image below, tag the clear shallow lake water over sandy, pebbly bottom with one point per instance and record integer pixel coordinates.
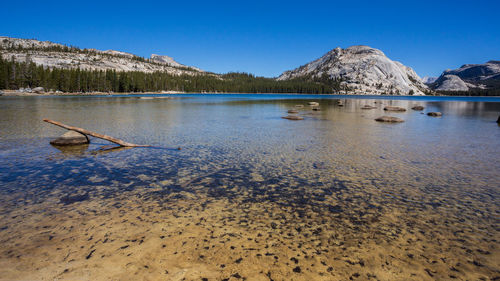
(250, 195)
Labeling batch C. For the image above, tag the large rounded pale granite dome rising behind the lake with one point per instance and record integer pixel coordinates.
(364, 70)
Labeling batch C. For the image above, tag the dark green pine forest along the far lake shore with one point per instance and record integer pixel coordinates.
(15, 75)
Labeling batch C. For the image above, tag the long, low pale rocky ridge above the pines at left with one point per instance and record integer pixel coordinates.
(54, 55)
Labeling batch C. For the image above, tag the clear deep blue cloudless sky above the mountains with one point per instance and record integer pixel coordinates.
(264, 37)
